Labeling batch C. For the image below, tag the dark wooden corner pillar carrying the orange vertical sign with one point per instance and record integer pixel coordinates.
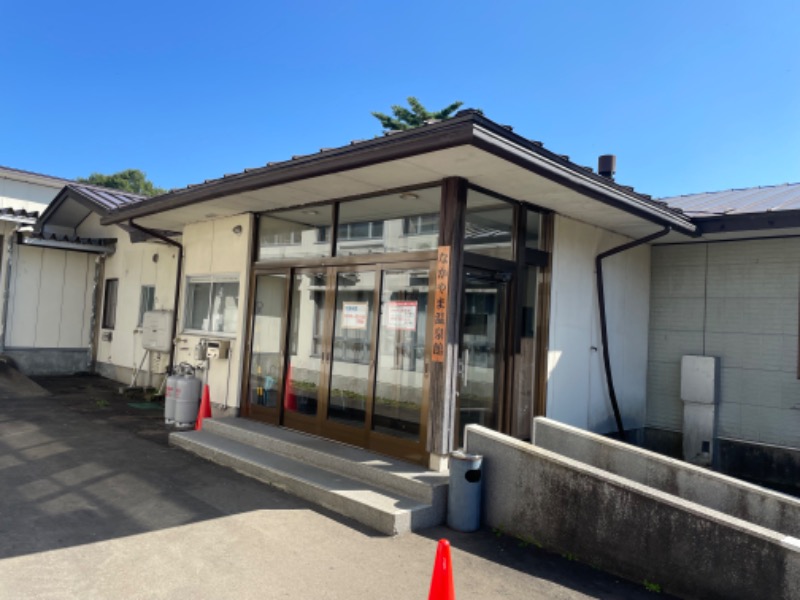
(444, 375)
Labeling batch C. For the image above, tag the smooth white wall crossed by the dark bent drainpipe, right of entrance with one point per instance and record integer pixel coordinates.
(576, 384)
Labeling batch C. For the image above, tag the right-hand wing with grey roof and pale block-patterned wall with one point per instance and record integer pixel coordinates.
(732, 294)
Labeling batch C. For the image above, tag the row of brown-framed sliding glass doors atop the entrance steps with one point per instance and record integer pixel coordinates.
(343, 352)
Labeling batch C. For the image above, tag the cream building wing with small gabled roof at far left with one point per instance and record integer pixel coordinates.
(77, 290)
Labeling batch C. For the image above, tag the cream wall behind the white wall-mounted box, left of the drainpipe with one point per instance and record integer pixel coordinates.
(134, 265)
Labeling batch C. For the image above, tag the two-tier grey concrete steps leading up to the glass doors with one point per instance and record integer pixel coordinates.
(388, 495)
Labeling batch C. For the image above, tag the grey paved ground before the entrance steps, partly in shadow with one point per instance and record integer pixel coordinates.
(90, 510)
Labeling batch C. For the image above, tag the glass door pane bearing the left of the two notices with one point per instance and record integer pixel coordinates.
(349, 389)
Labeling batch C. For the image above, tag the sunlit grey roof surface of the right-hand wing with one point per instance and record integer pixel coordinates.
(769, 198)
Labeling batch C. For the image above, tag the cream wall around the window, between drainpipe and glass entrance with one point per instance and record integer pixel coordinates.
(213, 248)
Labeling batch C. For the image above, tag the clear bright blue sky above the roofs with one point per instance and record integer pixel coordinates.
(690, 95)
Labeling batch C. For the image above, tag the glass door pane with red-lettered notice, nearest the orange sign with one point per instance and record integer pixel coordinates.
(401, 353)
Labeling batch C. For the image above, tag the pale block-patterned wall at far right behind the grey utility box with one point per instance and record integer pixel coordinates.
(737, 301)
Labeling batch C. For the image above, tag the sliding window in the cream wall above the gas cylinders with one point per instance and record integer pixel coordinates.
(212, 304)
